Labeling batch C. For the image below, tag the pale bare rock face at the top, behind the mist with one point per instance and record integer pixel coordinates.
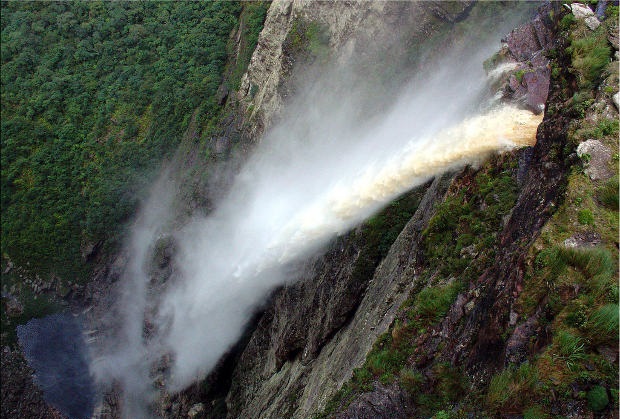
(352, 27)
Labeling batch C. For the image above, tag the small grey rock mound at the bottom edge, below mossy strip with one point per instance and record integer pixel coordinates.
(382, 403)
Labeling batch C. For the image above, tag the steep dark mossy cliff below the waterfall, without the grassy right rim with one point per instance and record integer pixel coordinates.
(289, 366)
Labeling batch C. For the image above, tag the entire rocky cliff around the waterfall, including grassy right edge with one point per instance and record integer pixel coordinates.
(487, 292)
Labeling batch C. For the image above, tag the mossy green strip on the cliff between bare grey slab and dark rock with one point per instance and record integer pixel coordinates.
(468, 219)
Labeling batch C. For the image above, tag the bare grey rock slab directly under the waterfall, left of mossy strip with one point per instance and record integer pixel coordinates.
(269, 374)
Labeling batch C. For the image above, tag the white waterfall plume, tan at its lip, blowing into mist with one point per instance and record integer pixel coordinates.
(319, 172)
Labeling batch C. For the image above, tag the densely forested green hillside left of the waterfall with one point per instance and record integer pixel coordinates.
(94, 96)
